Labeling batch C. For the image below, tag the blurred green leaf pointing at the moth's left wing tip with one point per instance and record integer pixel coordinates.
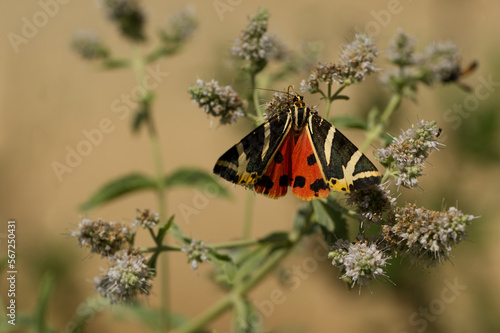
(196, 178)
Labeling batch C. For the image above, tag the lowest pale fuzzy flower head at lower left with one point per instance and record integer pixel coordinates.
(127, 277)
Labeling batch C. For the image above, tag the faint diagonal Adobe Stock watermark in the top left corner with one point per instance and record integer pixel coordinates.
(31, 26)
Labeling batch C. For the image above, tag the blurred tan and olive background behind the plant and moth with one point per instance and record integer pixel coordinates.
(49, 96)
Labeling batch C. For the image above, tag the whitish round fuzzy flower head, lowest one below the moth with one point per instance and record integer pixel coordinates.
(360, 262)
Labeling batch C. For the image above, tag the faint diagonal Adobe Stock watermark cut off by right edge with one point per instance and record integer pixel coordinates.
(460, 111)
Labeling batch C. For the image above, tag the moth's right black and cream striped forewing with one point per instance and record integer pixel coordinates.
(343, 166)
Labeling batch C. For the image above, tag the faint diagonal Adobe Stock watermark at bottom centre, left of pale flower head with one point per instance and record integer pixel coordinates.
(295, 275)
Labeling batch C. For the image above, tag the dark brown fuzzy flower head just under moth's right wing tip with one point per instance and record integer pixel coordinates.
(373, 203)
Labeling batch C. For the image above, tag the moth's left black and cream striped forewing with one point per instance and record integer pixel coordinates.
(247, 160)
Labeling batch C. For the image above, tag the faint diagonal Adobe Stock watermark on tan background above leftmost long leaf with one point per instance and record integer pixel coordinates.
(121, 107)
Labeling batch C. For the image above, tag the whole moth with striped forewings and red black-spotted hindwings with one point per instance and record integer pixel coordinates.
(298, 149)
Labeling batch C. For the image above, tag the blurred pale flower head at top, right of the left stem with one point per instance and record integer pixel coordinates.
(180, 26)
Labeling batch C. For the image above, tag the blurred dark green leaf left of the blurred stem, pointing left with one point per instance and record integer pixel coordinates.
(119, 187)
